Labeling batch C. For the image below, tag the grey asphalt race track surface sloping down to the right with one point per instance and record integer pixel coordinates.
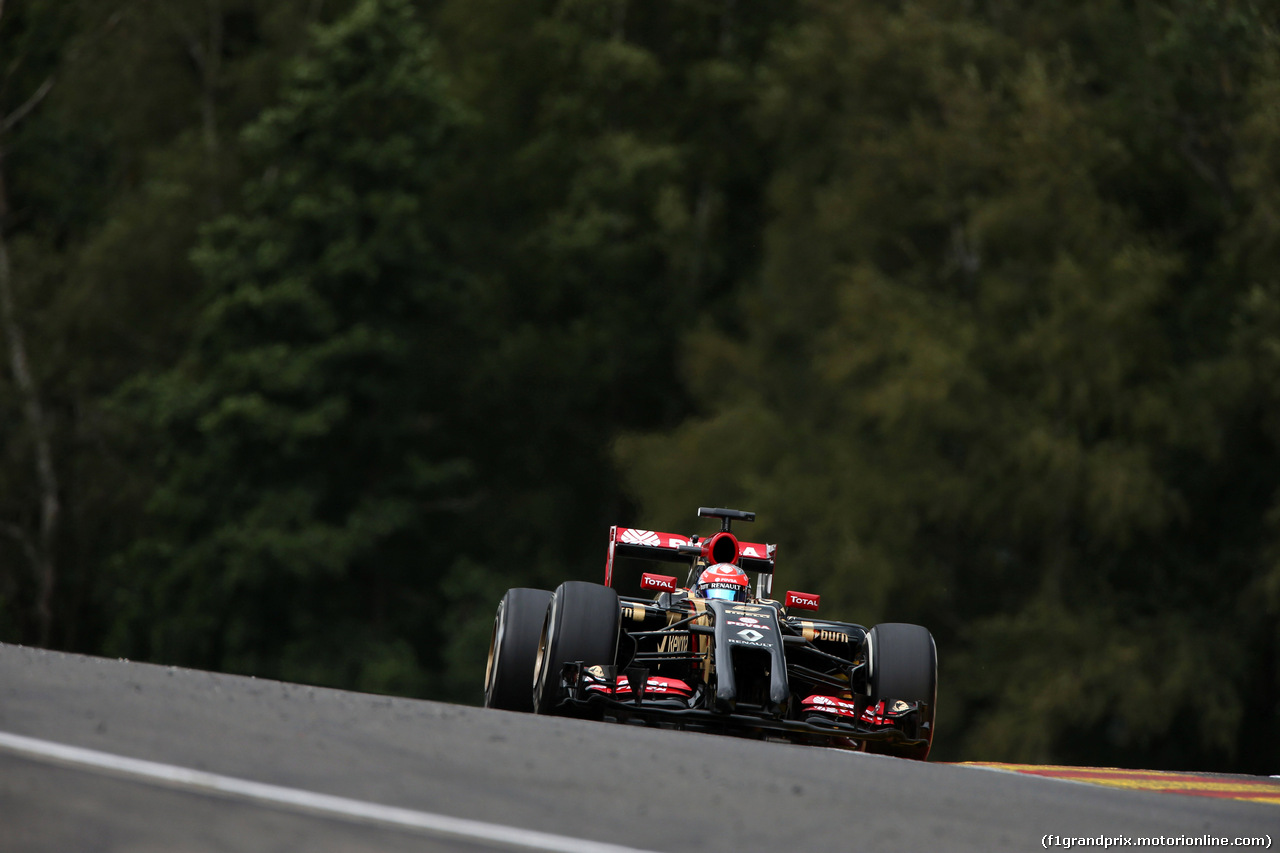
(639, 788)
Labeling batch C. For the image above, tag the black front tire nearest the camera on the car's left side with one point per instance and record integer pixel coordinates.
(582, 626)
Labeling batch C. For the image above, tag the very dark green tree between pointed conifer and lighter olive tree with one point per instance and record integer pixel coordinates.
(612, 195)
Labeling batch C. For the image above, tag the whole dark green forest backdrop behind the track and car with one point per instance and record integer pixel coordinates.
(326, 322)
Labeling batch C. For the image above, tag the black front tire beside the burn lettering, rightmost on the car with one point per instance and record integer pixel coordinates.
(904, 664)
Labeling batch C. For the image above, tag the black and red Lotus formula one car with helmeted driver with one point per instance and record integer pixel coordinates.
(712, 655)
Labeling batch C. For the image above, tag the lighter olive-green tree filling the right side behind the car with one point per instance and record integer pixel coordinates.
(991, 381)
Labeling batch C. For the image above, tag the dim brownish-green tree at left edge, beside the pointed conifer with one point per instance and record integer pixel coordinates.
(130, 143)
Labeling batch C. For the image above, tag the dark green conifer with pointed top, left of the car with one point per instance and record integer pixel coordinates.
(310, 473)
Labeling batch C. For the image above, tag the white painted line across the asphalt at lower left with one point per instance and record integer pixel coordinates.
(307, 801)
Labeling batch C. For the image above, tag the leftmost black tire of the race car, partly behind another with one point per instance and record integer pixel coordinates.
(514, 650)
